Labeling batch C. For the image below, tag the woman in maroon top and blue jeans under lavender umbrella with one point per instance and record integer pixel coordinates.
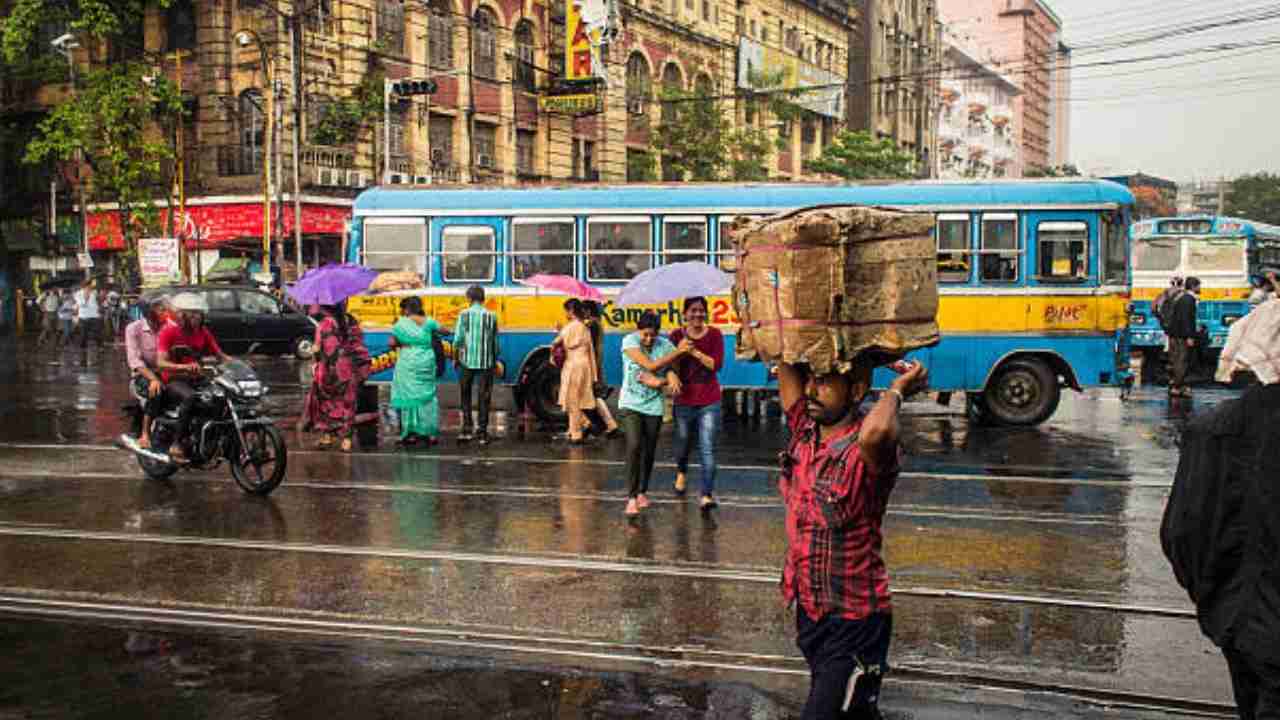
(698, 407)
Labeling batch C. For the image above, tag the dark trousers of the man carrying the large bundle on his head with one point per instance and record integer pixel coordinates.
(848, 660)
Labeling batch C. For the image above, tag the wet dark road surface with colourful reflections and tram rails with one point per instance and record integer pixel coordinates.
(1026, 564)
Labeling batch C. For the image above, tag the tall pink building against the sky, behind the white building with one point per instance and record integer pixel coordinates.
(1025, 39)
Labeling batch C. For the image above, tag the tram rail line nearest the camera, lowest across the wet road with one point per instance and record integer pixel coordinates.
(668, 658)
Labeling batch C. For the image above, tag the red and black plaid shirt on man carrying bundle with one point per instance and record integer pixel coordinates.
(835, 509)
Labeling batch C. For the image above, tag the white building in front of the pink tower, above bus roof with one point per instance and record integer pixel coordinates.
(977, 130)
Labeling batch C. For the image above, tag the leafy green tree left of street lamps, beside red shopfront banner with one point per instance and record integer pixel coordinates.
(121, 121)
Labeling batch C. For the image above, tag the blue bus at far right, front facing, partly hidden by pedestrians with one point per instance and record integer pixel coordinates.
(1227, 254)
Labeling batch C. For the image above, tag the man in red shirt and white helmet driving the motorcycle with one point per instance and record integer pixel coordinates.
(179, 371)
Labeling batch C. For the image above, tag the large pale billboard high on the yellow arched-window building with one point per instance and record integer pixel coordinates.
(758, 69)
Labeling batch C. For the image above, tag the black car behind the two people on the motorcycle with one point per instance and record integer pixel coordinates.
(244, 316)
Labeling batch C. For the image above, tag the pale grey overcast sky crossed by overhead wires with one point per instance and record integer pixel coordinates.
(1192, 117)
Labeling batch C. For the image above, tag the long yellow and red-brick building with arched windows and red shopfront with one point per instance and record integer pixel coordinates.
(502, 112)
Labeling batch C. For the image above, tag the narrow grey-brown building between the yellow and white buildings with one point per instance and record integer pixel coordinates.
(893, 74)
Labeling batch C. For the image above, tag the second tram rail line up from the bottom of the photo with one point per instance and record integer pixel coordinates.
(552, 563)
